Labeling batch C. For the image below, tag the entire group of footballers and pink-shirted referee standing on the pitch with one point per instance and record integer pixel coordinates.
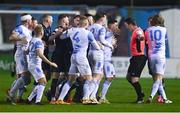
(82, 55)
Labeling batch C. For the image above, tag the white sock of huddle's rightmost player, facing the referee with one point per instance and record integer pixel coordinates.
(105, 89)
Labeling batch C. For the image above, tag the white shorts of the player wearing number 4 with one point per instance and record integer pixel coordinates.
(79, 64)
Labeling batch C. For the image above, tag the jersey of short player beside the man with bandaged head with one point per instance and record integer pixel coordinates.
(35, 43)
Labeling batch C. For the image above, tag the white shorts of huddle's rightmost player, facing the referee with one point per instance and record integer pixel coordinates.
(109, 70)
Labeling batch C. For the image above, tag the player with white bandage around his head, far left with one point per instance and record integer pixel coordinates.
(21, 36)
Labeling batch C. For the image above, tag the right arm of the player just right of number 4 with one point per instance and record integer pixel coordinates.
(102, 35)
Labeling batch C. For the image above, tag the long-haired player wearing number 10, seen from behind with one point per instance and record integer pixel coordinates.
(156, 36)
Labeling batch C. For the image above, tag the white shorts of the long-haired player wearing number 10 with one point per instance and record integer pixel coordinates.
(157, 65)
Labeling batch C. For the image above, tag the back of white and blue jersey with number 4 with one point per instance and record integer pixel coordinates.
(79, 38)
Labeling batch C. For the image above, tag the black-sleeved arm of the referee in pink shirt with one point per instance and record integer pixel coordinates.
(139, 38)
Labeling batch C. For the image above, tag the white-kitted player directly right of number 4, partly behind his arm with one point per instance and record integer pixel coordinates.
(96, 57)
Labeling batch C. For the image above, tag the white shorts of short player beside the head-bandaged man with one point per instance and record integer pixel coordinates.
(36, 71)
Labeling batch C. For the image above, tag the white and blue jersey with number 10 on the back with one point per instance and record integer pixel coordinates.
(156, 36)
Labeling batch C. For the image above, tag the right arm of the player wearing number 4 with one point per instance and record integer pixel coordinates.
(93, 41)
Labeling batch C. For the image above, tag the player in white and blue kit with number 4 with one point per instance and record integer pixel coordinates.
(80, 38)
